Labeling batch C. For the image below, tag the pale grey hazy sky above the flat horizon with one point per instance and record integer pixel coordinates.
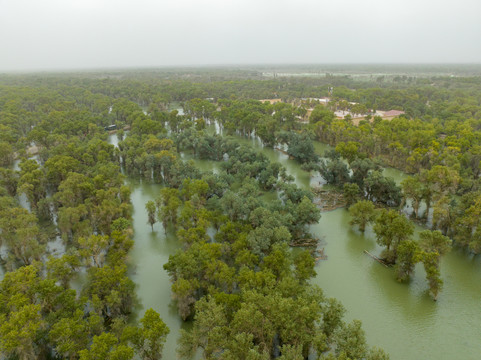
(70, 34)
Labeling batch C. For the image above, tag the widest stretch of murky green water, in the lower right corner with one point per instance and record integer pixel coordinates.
(401, 318)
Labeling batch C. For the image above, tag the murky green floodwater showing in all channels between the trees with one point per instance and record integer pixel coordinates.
(400, 318)
